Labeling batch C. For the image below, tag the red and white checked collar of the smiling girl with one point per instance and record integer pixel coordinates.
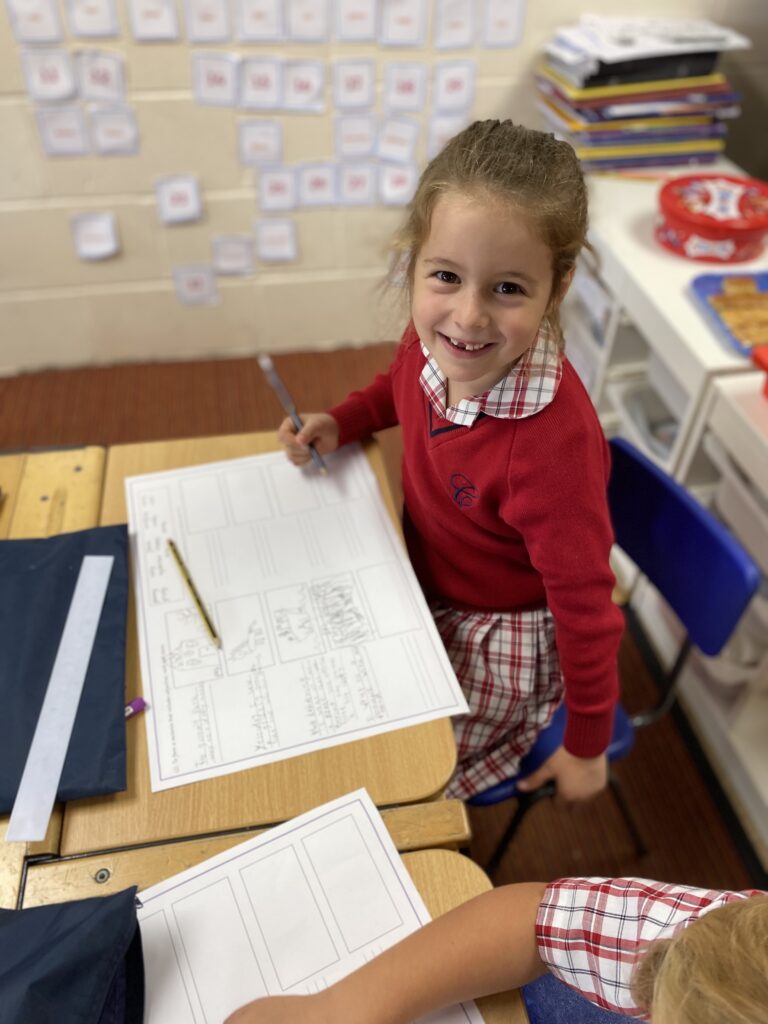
(529, 388)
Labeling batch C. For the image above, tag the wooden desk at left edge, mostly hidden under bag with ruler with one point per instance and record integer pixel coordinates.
(48, 493)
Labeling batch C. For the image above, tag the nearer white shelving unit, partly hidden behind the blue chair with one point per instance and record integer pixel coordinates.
(727, 699)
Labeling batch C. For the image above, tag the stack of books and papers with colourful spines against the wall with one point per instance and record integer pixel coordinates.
(629, 93)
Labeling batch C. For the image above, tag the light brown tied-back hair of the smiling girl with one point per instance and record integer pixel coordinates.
(530, 170)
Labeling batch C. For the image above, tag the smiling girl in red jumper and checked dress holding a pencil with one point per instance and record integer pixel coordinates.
(505, 466)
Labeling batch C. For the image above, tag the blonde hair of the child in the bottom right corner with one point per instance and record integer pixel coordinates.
(713, 972)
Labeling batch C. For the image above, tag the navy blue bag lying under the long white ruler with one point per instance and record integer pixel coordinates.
(37, 581)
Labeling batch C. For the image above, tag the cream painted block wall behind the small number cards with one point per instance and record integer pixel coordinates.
(58, 311)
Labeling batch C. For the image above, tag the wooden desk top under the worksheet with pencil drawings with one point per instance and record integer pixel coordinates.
(403, 767)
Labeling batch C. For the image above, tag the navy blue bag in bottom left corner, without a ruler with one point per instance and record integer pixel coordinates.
(77, 963)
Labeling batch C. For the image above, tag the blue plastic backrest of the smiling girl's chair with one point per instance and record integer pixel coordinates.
(702, 572)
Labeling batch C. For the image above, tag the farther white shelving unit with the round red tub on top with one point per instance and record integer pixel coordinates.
(633, 332)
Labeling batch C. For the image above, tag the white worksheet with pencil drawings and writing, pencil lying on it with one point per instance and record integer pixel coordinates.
(326, 636)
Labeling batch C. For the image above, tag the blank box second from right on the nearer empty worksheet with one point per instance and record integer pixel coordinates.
(291, 926)
